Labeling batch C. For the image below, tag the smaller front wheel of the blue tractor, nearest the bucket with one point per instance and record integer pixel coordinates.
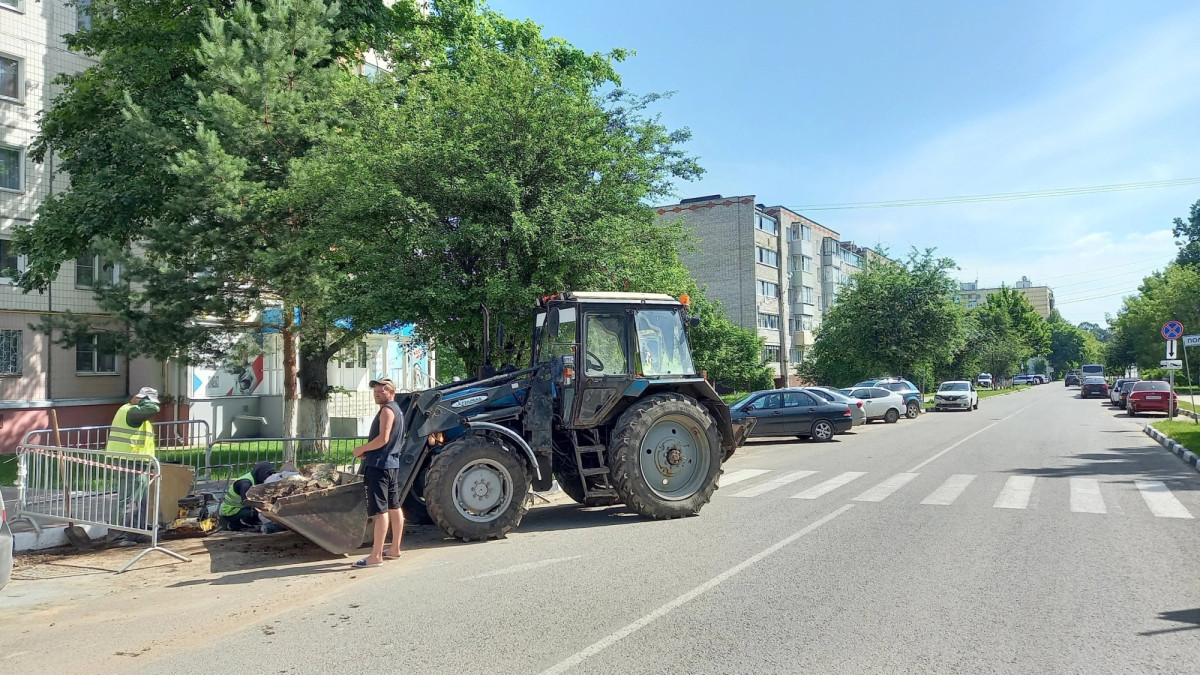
(476, 489)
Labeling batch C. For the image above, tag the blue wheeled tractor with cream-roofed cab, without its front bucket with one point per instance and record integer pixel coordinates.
(611, 407)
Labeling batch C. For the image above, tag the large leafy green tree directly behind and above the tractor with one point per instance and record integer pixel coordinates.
(518, 170)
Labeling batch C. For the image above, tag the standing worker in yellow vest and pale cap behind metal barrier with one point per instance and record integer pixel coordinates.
(131, 433)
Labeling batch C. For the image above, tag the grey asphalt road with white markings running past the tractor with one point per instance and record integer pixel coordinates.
(1041, 534)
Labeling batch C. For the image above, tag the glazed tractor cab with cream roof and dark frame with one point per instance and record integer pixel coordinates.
(605, 347)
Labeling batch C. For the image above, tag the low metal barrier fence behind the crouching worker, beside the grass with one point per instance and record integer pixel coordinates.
(244, 453)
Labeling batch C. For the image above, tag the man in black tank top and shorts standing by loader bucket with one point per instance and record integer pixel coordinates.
(381, 463)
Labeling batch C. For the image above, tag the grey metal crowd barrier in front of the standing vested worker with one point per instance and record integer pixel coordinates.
(80, 486)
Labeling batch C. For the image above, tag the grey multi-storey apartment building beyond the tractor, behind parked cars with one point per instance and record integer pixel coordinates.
(775, 271)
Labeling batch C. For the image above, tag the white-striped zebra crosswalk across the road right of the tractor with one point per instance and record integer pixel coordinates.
(1085, 494)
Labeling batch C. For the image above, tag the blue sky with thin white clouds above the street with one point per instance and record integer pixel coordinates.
(806, 104)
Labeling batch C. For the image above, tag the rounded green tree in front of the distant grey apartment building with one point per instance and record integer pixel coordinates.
(897, 318)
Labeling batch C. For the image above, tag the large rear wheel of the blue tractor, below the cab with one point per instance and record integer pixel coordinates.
(665, 456)
